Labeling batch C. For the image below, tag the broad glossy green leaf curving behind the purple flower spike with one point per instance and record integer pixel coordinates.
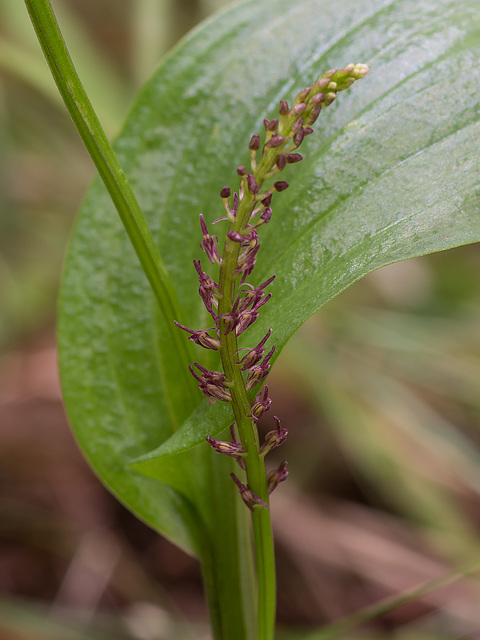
(391, 172)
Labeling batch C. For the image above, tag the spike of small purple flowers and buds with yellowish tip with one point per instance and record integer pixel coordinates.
(233, 303)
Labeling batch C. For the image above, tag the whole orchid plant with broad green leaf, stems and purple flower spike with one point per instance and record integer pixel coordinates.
(390, 177)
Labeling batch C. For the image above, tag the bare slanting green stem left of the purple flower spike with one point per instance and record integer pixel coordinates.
(105, 160)
